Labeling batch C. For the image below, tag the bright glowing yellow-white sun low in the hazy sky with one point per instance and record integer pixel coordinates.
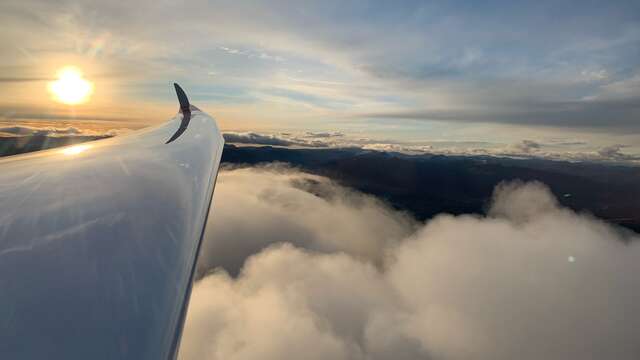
(70, 88)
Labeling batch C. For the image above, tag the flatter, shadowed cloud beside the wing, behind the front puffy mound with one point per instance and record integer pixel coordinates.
(256, 207)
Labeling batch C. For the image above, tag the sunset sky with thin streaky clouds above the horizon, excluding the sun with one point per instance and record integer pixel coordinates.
(459, 76)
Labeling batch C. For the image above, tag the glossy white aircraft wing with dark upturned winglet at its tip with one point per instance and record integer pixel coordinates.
(98, 241)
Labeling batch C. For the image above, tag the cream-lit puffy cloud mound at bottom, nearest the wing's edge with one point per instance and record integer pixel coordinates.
(289, 303)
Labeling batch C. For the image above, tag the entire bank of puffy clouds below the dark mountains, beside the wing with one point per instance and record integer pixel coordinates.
(530, 280)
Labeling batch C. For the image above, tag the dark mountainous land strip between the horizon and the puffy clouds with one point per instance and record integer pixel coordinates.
(426, 185)
